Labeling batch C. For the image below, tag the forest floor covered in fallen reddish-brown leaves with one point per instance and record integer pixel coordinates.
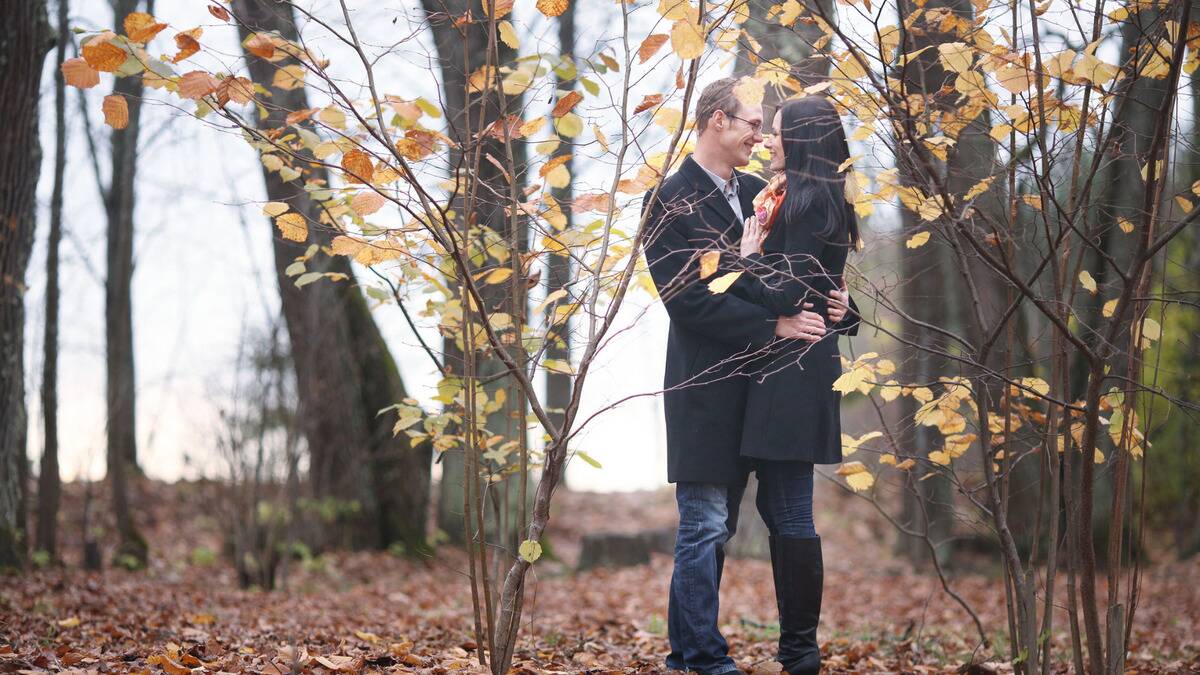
(368, 612)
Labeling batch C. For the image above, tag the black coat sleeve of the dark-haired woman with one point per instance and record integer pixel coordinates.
(784, 280)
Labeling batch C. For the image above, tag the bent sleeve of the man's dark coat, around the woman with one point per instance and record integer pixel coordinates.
(675, 270)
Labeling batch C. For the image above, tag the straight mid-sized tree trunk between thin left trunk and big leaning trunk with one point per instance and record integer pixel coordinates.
(122, 385)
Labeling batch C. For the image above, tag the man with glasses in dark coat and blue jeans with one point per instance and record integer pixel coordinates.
(713, 336)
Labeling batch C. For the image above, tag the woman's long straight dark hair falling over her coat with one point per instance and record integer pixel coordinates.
(814, 147)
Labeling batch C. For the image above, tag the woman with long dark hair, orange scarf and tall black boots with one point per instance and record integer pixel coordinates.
(795, 252)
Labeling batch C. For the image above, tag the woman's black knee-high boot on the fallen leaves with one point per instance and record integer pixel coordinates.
(800, 577)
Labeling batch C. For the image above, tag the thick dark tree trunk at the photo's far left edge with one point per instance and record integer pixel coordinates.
(26, 38)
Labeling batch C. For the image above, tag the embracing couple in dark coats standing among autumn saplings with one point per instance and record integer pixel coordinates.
(751, 372)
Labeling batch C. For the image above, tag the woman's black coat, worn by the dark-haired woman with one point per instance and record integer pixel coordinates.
(793, 413)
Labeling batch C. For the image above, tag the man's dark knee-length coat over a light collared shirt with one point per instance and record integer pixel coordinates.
(712, 334)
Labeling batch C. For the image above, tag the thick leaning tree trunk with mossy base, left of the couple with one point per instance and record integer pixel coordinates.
(345, 372)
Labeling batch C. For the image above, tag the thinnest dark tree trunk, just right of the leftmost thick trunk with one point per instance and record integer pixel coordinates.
(49, 482)
